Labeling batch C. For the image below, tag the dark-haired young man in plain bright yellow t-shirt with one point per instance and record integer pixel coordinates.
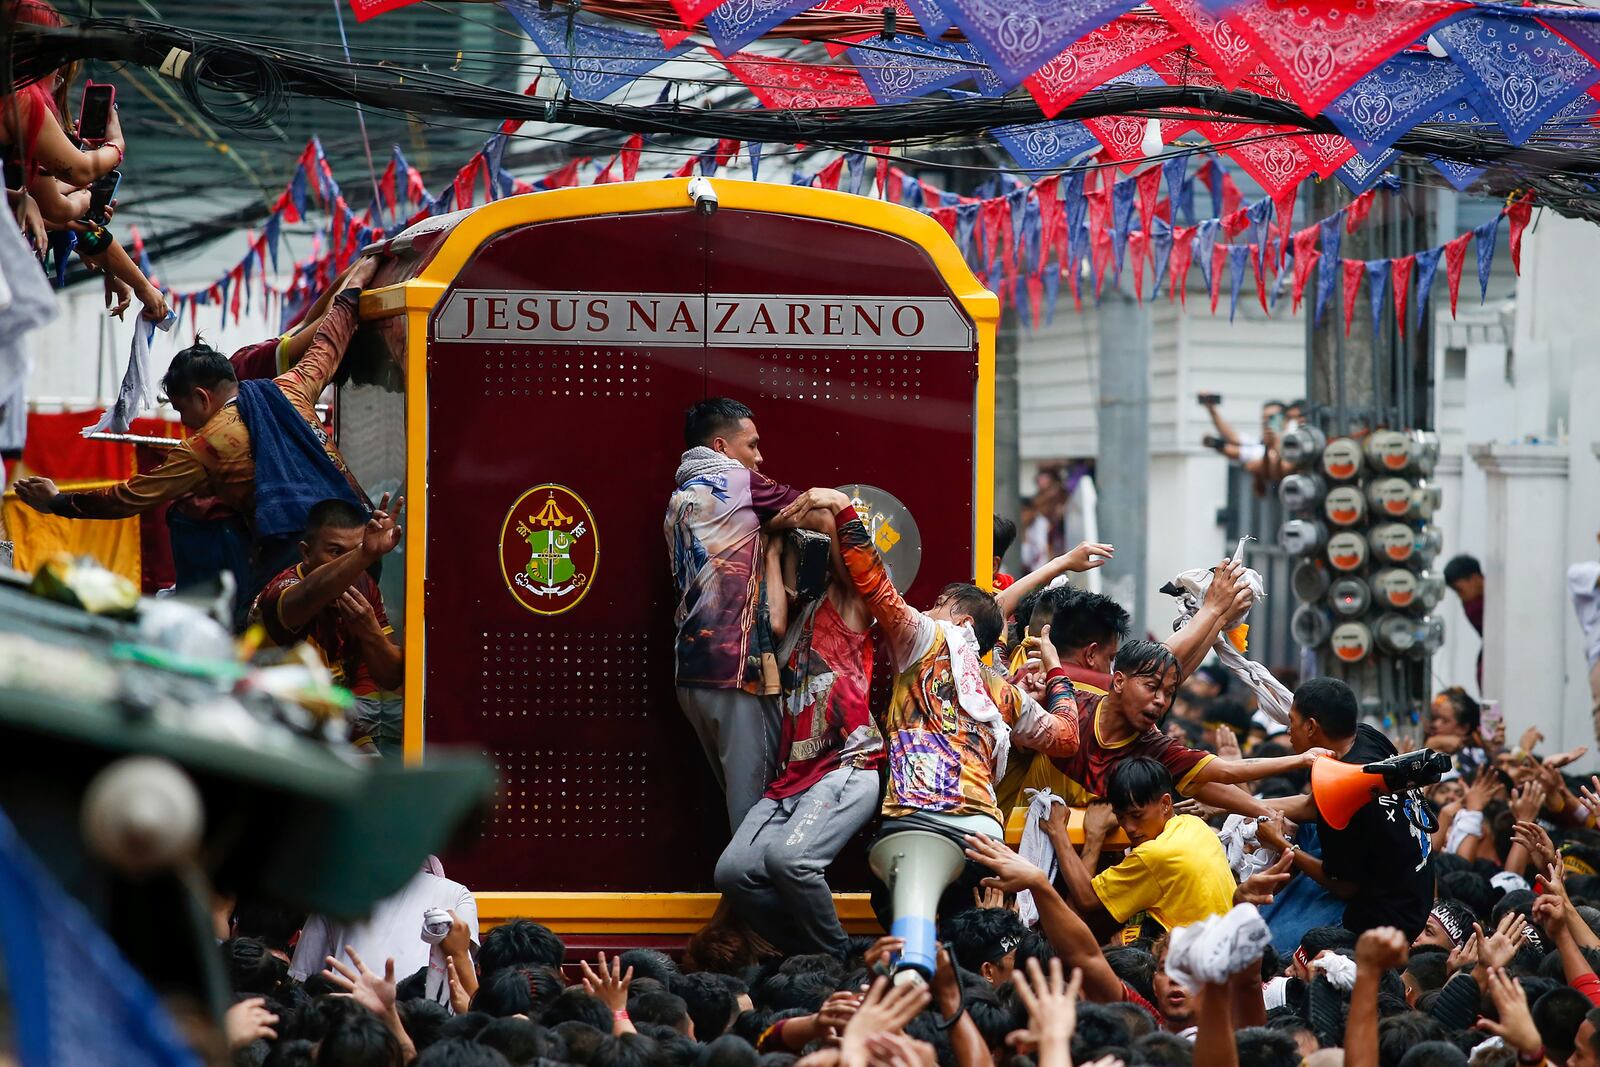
(1177, 871)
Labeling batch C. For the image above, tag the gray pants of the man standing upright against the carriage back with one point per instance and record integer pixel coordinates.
(740, 737)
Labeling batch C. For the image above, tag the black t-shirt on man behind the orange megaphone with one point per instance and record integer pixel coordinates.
(1382, 852)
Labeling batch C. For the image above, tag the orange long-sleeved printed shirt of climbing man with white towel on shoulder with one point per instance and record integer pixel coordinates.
(940, 757)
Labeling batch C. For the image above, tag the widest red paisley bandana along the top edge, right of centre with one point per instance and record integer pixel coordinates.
(1322, 49)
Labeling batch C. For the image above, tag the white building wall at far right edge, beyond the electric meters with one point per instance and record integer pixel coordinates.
(1526, 409)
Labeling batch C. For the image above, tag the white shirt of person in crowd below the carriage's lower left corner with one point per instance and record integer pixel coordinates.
(394, 930)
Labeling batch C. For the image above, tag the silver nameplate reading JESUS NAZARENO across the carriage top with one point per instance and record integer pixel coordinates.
(713, 321)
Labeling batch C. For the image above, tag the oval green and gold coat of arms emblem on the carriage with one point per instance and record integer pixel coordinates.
(550, 549)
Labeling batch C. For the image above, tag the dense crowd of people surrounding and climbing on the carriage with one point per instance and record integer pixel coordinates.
(1178, 893)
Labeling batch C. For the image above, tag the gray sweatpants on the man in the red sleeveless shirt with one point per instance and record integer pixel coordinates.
(774, 868)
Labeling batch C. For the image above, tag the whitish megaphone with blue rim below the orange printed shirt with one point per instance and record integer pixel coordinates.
(916, 866)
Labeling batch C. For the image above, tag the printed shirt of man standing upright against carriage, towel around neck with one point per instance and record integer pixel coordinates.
(714, 541)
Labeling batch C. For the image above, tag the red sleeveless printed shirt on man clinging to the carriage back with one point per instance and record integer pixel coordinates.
(828, 722)
